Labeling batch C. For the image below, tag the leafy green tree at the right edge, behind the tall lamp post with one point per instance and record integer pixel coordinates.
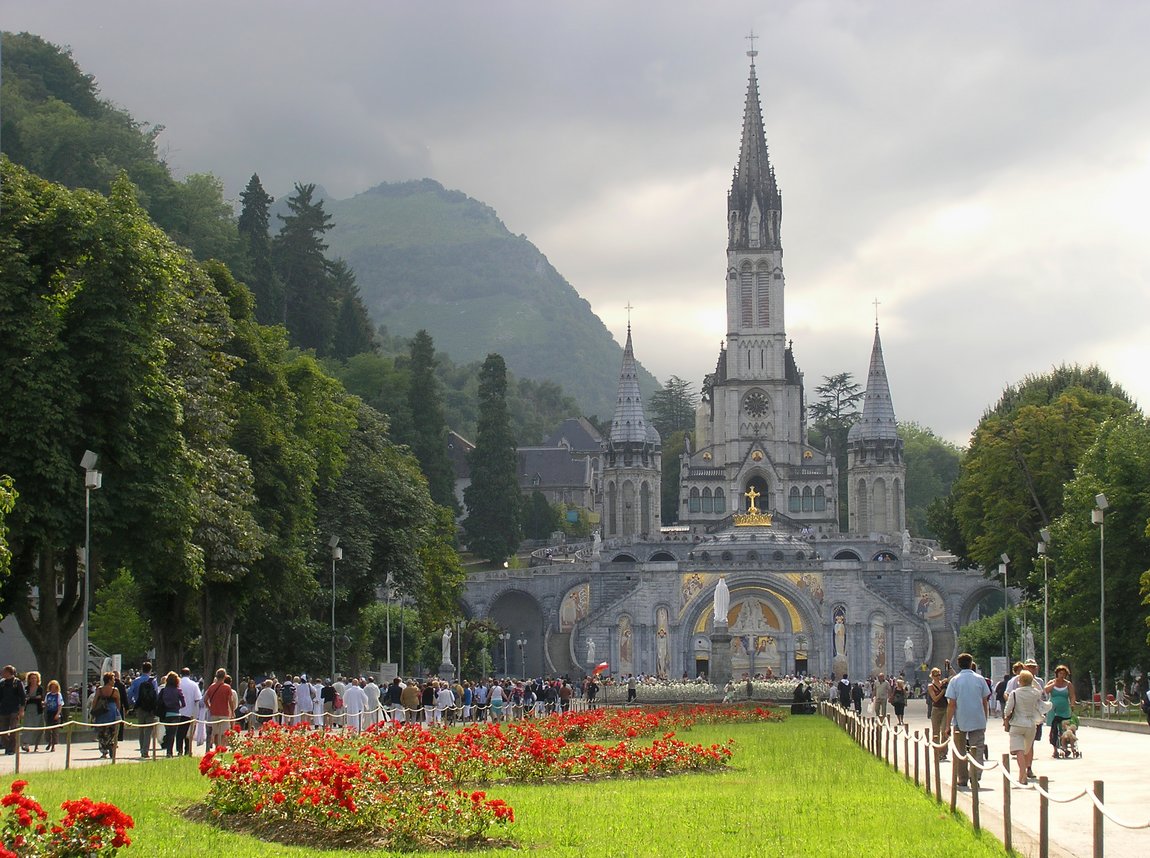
(1117, 464)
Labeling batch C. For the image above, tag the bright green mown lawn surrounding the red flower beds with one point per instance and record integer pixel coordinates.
(800, 788)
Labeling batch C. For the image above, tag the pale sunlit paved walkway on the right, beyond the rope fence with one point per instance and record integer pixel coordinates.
(1117, 759)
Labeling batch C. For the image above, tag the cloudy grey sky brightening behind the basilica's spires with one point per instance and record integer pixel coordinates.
(980, 168)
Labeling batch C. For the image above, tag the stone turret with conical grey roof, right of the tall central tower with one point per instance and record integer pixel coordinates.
(876, 472)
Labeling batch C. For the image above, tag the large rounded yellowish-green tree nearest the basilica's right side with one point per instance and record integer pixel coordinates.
(1022, 456)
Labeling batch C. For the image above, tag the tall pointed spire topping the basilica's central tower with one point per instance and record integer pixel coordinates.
(755, 204)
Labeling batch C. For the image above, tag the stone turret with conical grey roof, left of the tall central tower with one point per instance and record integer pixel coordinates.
(632, 462)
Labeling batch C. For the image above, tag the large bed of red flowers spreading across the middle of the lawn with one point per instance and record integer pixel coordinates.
(413, 784)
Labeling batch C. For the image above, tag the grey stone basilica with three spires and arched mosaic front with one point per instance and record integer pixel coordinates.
(758, 510)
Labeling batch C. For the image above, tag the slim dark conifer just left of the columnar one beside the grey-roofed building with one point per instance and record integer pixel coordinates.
(430, 430)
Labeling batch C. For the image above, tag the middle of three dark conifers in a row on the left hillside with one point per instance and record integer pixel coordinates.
(310, 297)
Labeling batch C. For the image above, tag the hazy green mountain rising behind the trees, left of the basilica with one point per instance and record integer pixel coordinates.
(426, 257)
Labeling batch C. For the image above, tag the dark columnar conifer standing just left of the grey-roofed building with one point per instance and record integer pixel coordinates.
(493, 500)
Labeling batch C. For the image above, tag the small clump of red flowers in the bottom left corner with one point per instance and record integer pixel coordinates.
(88, 830)
